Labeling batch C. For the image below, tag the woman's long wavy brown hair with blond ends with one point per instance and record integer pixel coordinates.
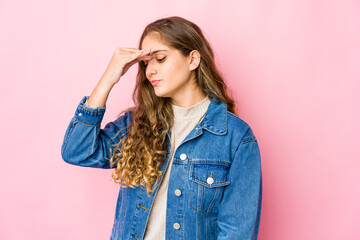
(144, 145)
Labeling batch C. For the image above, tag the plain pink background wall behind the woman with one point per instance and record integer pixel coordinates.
(292, 66)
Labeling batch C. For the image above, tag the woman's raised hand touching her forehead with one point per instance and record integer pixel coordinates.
(121, 61)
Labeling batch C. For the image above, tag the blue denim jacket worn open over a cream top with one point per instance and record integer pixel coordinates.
(215, 186)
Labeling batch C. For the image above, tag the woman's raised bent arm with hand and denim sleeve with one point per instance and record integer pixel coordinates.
(85, 144)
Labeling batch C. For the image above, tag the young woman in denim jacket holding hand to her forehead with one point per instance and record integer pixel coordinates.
(187, 166)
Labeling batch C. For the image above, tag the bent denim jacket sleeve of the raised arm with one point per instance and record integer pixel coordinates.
(85, 144)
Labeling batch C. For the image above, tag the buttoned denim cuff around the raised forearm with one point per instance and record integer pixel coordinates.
(87, 115)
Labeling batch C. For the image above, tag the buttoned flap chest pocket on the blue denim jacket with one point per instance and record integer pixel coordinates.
(207, 182)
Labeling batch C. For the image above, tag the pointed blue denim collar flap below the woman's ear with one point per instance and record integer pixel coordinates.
(215, 120)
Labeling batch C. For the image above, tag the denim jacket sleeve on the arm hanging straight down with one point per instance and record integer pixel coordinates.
(239, 212)
